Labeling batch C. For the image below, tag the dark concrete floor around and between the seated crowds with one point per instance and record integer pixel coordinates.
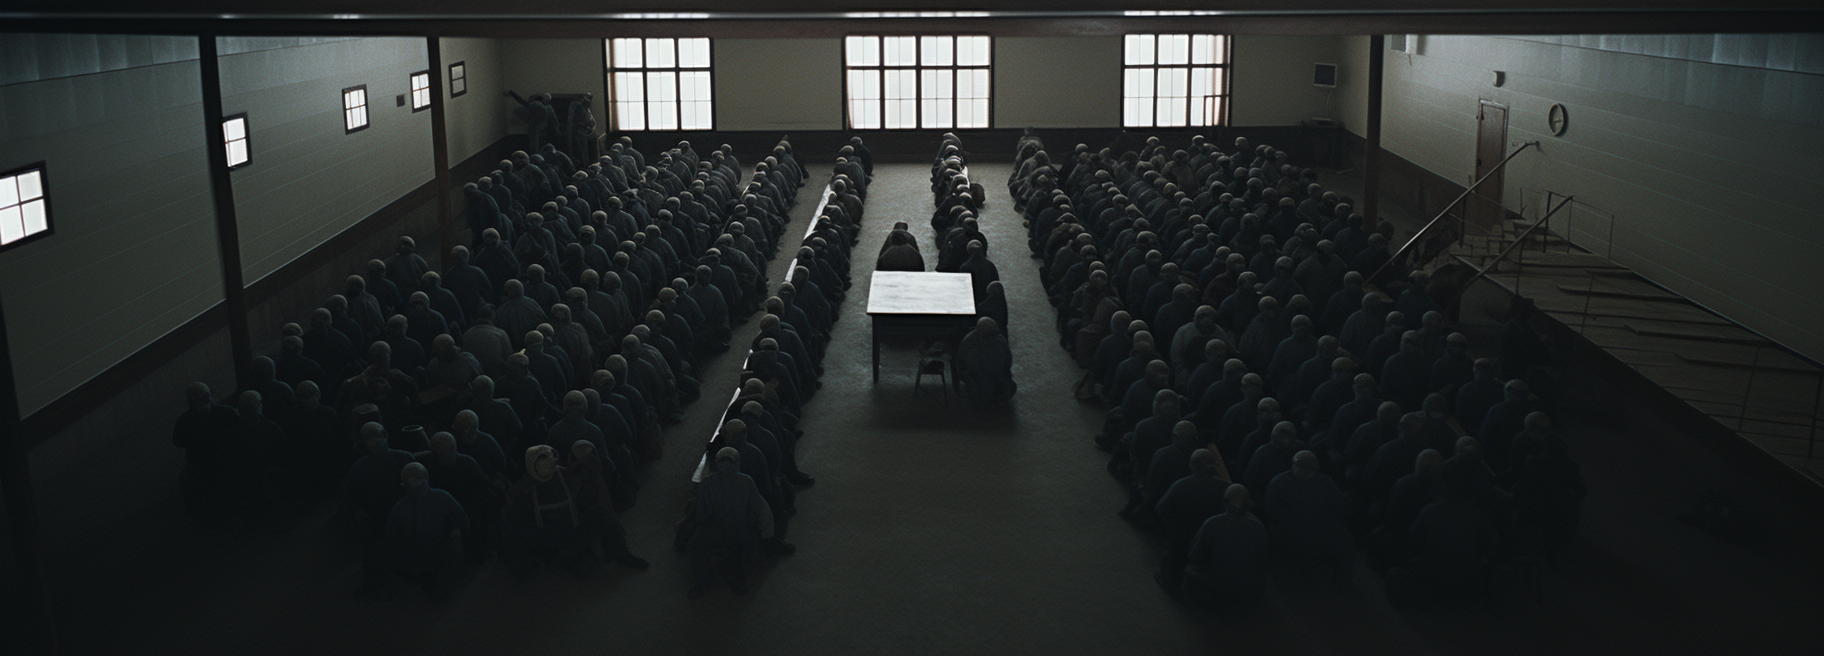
(942, 529)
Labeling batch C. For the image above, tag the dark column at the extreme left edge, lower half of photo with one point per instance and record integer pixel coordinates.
(23, 515)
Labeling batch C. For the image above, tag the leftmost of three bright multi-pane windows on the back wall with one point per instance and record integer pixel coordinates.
(659, 83)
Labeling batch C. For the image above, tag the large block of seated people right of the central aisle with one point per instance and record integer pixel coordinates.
(1280, 371)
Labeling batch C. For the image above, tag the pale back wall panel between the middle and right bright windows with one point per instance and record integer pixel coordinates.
(1057, 83)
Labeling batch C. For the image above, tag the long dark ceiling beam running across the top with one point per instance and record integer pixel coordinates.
(1371, 19)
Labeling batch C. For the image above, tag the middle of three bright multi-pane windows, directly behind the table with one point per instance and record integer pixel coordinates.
(902, 83)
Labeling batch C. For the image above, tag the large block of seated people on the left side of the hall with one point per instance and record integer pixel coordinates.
(464, 393)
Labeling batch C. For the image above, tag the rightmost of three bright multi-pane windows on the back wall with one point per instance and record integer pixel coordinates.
(1176, 81)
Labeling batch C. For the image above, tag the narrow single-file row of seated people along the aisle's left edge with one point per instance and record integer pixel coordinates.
(747, 487)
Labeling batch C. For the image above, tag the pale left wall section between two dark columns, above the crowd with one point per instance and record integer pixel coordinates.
(309, 179)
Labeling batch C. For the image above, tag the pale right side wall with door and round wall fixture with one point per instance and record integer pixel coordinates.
(1705, 149)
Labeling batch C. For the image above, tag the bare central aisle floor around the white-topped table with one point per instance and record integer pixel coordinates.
(942, 529)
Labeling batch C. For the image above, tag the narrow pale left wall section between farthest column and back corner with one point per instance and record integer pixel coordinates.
(475, 119)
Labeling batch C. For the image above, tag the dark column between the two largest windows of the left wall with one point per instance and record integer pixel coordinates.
(227, 229)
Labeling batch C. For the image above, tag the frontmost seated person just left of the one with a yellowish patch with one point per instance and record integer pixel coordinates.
(424, 533)
